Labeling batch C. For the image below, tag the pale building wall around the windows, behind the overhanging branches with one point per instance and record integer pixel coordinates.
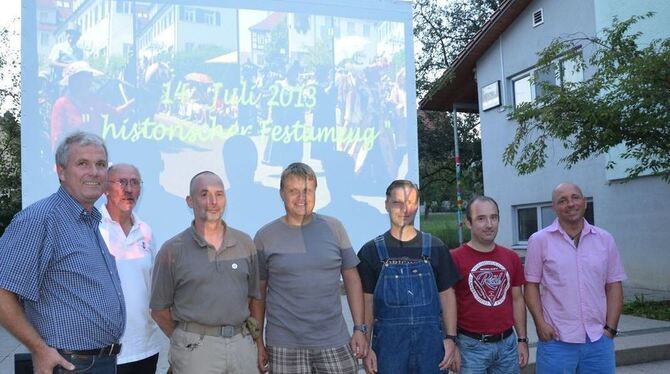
(636, 213)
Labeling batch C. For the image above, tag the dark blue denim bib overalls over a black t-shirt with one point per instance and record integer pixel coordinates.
(407, 335)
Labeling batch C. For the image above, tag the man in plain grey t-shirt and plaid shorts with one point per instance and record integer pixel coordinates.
(301, 257)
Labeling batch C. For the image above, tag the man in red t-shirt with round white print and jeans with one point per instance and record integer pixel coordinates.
(489, 297)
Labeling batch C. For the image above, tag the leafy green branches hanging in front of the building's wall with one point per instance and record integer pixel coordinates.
(626, 101)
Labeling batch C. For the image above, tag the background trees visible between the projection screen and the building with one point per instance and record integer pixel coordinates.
(442, 30)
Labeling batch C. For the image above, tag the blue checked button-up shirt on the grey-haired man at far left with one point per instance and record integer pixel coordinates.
(53, 257)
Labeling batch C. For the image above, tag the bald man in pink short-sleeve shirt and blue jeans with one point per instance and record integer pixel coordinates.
(577, 311)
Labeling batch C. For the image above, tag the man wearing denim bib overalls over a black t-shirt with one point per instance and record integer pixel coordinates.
(407, 279)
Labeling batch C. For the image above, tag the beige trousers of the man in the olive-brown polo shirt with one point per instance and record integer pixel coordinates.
(202, 354)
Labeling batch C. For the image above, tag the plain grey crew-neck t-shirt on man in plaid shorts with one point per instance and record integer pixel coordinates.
(302, 265)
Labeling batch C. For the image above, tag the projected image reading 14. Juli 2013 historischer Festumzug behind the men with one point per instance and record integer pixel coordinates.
(177, 89)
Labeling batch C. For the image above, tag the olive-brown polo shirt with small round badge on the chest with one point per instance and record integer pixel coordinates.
(203, 285)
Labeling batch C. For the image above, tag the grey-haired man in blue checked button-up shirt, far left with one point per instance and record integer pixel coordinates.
(60, 293)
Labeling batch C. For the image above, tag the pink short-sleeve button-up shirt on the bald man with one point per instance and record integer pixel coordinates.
(573, 278)
